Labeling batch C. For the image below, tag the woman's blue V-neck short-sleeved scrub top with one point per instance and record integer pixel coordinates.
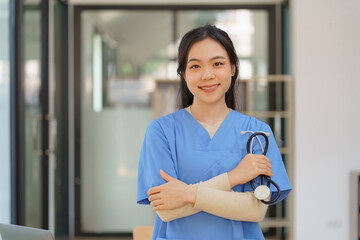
(182, 147)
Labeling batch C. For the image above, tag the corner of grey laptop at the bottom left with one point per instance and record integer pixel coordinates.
(15, 232)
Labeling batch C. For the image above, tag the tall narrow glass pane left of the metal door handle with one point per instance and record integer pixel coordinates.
(34, 204)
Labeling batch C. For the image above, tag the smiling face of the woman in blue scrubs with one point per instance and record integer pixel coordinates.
(208, 71)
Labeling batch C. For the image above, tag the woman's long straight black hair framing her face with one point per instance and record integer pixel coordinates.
(185, 97)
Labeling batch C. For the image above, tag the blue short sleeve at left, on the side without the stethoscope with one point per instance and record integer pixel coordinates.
(155, 155)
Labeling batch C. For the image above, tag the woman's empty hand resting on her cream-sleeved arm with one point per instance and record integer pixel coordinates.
(171, 195)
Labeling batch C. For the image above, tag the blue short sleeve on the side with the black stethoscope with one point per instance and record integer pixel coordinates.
(280, 176)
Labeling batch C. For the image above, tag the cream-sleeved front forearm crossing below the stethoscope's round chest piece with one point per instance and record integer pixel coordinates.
(240, 206)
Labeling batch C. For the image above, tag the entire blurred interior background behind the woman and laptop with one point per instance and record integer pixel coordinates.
(80, 80)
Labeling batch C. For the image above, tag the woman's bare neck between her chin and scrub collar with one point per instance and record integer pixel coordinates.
(209, 113)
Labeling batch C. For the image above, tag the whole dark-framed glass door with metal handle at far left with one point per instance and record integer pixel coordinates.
(39, 89)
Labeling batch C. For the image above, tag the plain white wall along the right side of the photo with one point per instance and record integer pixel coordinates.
(326, 69)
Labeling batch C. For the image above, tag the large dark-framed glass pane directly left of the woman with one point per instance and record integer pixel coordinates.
(123, 53)
